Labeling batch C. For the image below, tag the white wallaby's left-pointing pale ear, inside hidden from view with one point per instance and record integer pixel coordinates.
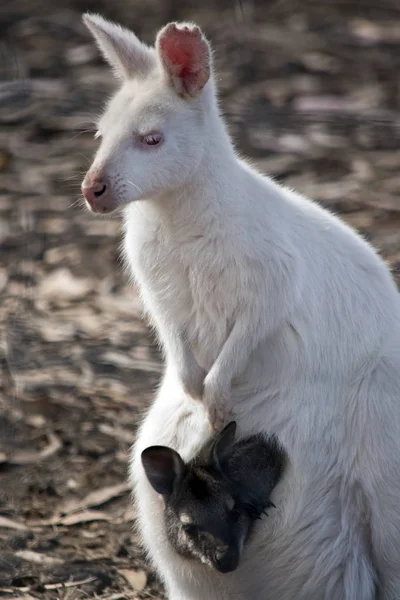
(124, 52)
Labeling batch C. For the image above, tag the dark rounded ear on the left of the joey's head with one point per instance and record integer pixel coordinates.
(164, 468)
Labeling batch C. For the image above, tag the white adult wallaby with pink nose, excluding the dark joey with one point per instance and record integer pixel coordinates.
(267, 306)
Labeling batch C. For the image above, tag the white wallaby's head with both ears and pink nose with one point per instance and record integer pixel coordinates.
(152, 132)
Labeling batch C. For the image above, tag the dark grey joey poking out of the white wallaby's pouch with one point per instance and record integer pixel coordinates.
(210, 506)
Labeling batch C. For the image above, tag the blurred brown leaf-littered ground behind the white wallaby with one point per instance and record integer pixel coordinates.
(311, 91)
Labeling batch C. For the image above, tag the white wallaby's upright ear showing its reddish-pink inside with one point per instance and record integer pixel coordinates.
(186, 57)
